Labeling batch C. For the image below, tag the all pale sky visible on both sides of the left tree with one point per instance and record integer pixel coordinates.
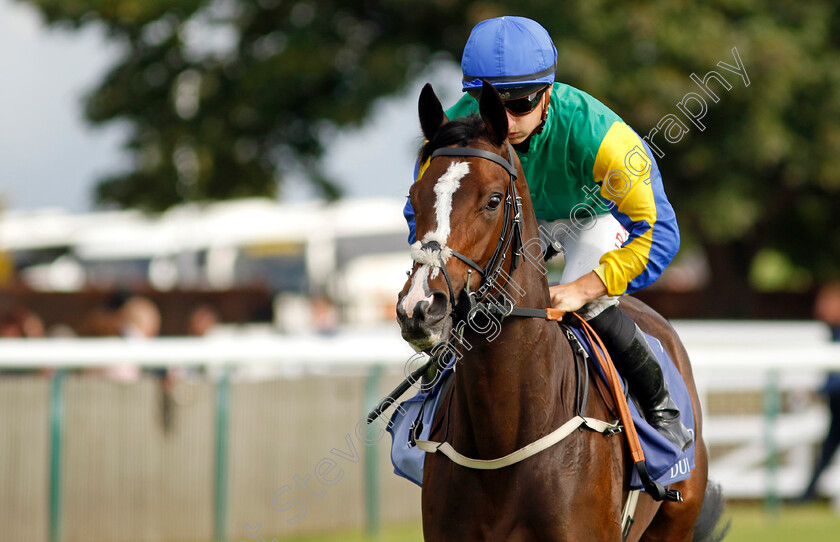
(50, 158)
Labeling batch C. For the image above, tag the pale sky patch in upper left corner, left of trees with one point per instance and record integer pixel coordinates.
(48, 156)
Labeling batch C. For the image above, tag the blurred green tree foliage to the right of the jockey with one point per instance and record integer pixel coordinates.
(757, 183)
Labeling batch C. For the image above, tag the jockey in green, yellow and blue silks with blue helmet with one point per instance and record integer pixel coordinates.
(597, 194)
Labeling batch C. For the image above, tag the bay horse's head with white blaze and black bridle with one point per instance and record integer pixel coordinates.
(467, 215)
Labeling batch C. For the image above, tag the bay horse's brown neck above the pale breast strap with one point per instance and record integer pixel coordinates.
(508, 386)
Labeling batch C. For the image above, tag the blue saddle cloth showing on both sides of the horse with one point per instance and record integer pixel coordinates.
(665, 462)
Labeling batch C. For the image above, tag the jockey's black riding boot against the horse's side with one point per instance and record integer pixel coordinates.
(636, 362)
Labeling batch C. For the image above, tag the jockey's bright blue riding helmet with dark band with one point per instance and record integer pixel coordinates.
(513, 54)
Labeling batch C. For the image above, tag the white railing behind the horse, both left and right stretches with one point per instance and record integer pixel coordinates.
(766, 455)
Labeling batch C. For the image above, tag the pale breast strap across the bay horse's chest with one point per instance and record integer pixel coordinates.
(523, 453)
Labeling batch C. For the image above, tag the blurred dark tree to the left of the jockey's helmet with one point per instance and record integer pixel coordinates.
(226, 98)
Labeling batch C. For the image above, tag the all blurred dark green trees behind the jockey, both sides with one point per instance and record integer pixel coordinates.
(226, 97)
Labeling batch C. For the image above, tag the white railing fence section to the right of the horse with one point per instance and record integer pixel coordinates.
(768, 455)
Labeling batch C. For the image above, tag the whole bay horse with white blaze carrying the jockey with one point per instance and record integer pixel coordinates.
(473, 217)
